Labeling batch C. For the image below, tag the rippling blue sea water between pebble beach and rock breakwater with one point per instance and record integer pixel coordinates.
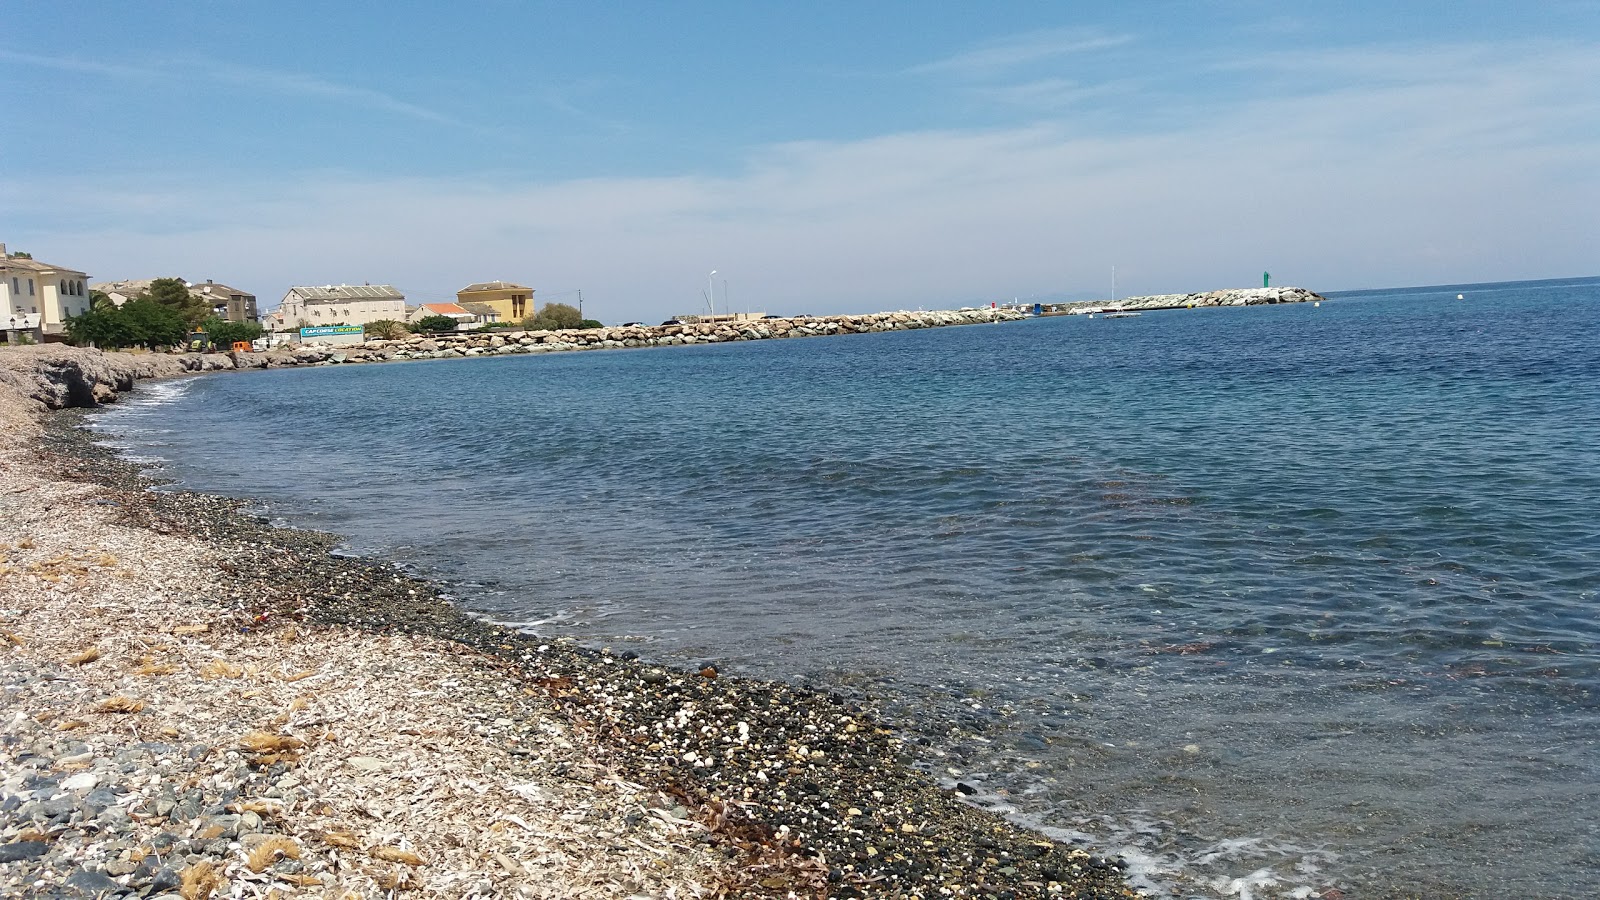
(1270, 600)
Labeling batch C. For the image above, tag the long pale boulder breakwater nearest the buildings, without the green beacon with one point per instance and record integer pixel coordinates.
(503, 344)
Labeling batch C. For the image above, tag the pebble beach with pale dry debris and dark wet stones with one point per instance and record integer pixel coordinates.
(620, 776)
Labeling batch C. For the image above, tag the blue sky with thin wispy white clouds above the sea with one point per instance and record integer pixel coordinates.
(820, 158)
